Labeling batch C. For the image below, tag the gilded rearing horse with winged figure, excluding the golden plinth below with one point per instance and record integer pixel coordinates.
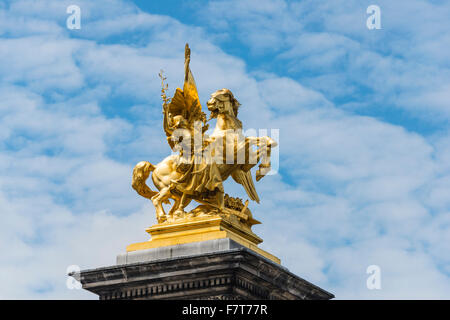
(193, 175)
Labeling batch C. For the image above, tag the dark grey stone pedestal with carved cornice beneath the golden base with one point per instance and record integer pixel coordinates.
(211, 269)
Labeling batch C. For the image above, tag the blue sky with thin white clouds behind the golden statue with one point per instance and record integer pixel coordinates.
(364, 155)
